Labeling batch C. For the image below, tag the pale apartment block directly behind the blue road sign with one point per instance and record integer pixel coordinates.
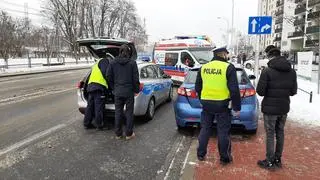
(282, 12)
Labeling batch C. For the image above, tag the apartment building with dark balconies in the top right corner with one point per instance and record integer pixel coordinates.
(306, 33)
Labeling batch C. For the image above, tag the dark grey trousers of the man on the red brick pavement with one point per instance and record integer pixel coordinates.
(274, 125)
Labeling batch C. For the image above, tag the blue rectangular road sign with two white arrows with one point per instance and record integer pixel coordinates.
(260, 25)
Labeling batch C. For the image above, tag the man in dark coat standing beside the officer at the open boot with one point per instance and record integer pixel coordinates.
(123, 78)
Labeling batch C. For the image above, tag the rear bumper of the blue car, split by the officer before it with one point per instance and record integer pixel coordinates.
(187, 116)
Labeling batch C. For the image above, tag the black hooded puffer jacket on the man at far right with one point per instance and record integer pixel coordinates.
(277, 83)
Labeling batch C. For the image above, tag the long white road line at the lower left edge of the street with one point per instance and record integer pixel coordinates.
(30, 139)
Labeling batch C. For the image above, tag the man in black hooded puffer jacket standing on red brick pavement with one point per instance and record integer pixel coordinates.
(276, 84)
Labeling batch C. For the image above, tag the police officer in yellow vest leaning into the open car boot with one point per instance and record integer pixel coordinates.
(97, 90)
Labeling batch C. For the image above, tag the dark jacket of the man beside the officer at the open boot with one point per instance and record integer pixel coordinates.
(123, 77)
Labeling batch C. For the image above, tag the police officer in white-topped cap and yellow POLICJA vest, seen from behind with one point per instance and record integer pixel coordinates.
(217, 87)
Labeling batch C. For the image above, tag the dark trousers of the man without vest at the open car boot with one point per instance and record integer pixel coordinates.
(120, 102)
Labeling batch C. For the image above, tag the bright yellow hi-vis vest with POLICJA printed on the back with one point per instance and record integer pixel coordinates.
(214, 81)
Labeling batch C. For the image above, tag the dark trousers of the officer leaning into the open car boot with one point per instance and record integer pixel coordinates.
(95, 109)
